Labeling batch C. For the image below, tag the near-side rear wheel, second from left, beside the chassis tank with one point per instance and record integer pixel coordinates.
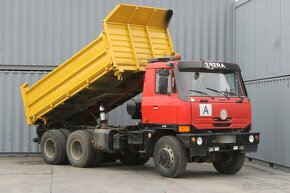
(80, 151)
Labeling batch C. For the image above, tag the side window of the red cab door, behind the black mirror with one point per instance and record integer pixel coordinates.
(163, 81)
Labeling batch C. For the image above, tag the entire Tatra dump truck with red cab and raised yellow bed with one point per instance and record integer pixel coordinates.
(190, 111)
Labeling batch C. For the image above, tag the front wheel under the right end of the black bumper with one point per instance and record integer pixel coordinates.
(231, 163)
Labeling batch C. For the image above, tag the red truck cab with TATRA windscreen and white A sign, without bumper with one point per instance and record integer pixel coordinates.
(196, 96)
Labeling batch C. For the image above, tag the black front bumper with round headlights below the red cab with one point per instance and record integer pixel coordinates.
(214, 142)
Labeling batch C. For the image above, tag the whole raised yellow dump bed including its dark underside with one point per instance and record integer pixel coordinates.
(109, 70)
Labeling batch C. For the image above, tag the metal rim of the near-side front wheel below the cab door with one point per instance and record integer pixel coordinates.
(165, 157)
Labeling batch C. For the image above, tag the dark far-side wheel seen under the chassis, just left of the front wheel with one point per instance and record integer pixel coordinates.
(133, 159)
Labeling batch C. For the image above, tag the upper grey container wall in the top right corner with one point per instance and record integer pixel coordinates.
(262, 41)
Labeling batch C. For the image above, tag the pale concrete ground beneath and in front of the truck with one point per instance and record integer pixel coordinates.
(31, 174)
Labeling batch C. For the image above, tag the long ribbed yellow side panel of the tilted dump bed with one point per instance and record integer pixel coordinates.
(68, 79)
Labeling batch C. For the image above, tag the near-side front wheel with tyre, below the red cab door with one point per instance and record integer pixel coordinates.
(170, 158)
